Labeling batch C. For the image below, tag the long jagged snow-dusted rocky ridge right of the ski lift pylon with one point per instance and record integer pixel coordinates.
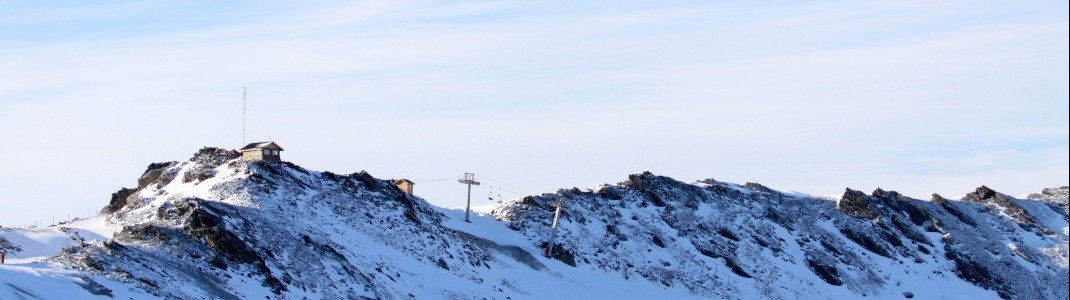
(754, 238)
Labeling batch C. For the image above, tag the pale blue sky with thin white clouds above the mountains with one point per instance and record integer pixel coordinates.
(814, 97)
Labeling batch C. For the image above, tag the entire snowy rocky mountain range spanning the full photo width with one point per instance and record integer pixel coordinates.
(216, 228)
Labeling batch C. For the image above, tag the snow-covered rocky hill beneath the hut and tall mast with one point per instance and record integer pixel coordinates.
(217, 228)
